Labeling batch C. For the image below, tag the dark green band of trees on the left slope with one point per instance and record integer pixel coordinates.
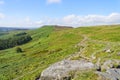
(14, 41)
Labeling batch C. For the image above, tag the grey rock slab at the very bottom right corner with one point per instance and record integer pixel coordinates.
(110, 74)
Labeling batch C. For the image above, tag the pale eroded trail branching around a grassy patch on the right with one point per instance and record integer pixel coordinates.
(83, 46)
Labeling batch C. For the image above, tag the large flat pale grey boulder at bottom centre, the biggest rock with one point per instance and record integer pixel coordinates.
(63, 70)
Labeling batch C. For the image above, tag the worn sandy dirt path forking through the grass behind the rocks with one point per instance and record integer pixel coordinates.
(83, 44)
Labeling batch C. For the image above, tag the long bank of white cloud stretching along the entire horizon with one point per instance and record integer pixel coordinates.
(69, 20)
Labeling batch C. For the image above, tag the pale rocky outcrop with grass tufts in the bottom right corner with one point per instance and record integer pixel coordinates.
(110, 70)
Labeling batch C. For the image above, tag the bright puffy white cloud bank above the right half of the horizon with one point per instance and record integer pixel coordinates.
(76, 20)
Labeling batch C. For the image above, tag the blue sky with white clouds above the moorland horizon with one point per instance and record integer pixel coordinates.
(36, 13)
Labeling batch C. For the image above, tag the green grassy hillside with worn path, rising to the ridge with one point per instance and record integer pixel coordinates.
(51, 44)
